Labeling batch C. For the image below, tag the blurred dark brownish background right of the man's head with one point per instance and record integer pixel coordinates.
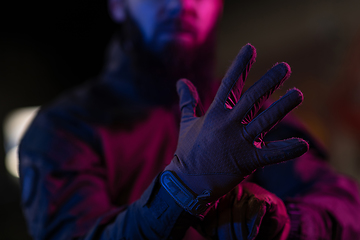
(319, 40)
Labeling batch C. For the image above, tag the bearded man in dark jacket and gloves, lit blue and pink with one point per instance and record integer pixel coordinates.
(108, 160)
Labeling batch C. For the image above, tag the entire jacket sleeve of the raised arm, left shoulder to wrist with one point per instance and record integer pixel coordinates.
(65, 192)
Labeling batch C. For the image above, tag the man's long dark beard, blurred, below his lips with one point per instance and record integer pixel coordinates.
(156, 73)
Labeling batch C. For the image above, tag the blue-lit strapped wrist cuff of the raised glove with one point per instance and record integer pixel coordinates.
(192, 203)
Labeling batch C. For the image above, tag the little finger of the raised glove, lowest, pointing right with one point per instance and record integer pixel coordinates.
(280, 151)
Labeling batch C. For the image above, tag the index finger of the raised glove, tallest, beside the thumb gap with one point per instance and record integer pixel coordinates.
(232, 84)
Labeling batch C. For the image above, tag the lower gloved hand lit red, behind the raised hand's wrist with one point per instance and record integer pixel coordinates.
(246, 212)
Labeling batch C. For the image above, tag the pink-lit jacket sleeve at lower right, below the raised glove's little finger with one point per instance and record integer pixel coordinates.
(321, 203)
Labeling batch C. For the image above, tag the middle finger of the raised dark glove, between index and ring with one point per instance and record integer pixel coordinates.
(252, 100)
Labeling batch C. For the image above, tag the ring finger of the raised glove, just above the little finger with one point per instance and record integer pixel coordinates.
(266, 120)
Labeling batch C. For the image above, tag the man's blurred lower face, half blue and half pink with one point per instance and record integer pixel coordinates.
(183, 23)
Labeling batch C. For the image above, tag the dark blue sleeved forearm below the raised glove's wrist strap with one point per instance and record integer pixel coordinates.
(154, 216)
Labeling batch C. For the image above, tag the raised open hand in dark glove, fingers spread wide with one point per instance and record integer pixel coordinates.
(218, 150)
